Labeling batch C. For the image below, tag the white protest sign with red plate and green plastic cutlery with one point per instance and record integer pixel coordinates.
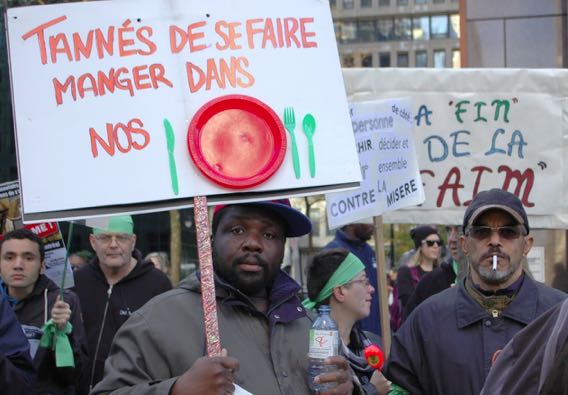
(130, 104)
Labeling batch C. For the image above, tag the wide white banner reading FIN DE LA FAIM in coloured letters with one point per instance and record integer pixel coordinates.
(480, 129)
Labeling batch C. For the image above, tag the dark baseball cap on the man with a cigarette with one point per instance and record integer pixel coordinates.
(495, 199)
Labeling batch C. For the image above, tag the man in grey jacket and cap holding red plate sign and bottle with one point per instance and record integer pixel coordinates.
(263, 326)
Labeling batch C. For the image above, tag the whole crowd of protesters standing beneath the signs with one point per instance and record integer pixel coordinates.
(466, 318)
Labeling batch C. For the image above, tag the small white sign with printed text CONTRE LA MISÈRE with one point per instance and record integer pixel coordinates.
(391, 180)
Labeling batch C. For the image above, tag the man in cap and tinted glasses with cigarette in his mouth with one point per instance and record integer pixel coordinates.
(448, 344)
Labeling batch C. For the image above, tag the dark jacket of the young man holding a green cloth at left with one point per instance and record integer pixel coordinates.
(32, 315)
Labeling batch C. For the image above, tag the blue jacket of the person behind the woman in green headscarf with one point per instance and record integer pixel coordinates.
(365, 253)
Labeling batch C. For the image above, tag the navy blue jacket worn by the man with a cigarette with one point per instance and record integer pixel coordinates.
(446, 346)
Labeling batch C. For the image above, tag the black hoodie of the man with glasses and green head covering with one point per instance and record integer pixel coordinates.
(126, 296)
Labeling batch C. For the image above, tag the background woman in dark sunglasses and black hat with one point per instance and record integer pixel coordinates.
(427, 243)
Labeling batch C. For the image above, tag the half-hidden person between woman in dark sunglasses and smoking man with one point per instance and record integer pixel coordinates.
(450, 272)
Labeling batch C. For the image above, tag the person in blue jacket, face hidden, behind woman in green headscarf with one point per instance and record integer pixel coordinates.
(354, 238)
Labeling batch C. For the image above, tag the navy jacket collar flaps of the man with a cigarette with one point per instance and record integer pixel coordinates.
(523, 308)
